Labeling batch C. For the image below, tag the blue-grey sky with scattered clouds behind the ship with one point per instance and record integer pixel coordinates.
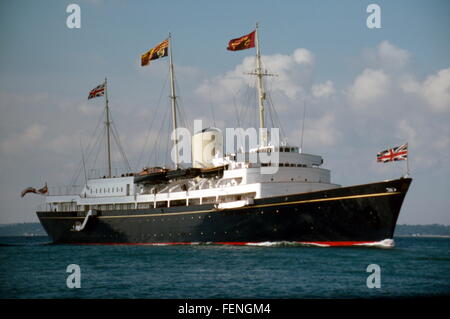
(365, 90)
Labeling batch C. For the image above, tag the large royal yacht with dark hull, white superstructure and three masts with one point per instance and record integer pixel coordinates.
(226, 198)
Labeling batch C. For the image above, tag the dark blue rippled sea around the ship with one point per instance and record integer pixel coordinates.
(32, 267)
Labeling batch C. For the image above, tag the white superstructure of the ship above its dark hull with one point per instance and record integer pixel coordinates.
(296, 173)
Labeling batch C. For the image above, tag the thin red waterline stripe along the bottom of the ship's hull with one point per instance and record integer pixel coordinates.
(322, 243)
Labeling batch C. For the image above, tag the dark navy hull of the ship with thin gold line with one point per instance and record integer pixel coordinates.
(342, 216)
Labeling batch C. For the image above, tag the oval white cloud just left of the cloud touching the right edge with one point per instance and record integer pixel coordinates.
(368, 87)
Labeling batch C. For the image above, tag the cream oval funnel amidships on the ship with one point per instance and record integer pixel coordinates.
(206, 145)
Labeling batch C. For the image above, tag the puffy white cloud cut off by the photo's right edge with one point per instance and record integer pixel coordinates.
(435, 90)
